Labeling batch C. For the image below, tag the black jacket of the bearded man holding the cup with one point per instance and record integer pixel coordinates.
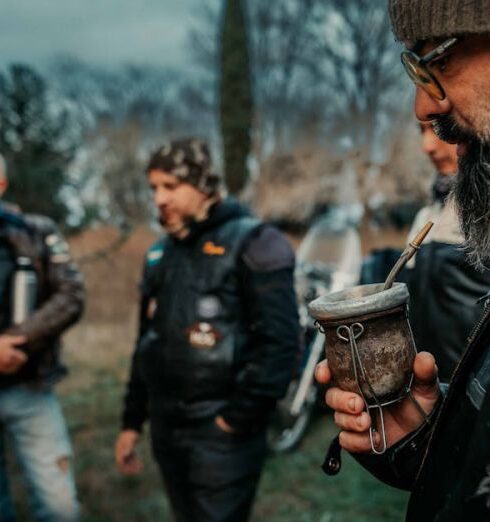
(446, 464)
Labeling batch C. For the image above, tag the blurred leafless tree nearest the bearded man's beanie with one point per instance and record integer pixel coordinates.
(357, 63)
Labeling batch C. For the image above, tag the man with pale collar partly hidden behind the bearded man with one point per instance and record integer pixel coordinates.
(445, 289)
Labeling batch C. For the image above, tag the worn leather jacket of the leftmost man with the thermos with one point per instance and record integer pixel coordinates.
(60, 294)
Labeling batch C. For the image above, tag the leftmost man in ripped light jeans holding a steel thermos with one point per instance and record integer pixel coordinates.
(32, 249)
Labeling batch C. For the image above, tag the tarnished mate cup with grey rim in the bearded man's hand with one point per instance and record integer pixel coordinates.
(384, 342)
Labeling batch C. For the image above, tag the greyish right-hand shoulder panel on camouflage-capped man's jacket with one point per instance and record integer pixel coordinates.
(268, 249)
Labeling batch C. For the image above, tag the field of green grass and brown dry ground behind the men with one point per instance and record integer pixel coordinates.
(293, 488)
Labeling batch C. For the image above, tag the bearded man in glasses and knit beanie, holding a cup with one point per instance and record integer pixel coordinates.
(443, 456)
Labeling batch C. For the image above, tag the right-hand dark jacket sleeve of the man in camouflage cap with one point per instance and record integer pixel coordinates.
(267, 272)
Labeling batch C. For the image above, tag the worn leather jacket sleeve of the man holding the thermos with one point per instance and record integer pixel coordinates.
(62, 286)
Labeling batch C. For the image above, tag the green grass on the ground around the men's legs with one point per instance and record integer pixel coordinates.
(292, 489)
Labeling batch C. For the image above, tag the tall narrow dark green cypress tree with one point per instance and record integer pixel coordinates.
(236, 103)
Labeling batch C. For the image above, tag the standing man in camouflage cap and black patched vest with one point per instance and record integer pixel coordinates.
(219, 335)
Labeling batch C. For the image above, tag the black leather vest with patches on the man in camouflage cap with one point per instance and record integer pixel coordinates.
(199, 334)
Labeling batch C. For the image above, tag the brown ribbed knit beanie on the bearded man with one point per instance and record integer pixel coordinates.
(415, 20)
